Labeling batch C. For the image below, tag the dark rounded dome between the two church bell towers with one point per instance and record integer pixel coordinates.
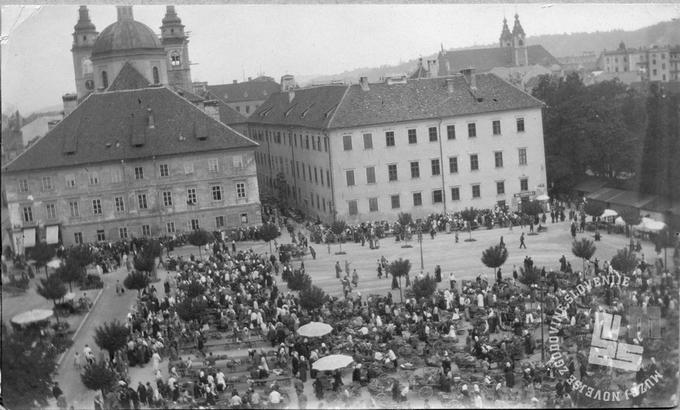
(125, 35)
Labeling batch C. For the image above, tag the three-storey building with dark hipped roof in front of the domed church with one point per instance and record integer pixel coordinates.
(140, 162)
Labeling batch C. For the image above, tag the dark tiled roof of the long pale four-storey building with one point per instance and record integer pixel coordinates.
(338, 106)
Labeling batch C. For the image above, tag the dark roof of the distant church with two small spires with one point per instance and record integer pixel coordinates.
(484, 59)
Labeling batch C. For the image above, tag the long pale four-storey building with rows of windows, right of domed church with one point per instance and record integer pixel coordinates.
(369, 151)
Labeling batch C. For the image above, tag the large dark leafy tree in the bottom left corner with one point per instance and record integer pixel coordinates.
(27, 368)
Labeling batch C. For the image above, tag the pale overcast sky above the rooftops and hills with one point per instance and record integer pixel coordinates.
(230, 42)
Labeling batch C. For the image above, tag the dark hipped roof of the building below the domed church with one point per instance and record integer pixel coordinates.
(106, 127)
